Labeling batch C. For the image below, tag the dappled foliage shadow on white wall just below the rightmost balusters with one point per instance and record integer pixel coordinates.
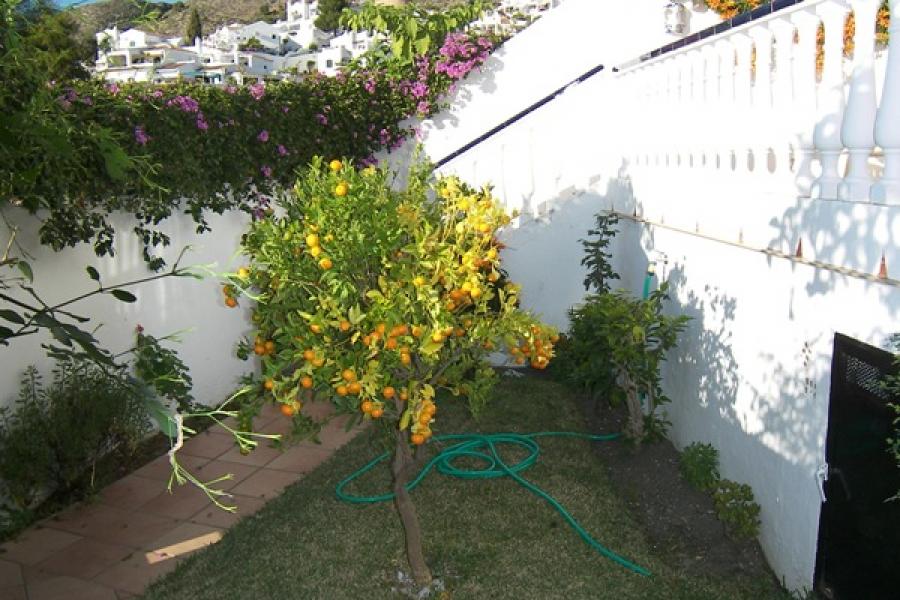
(854, 235)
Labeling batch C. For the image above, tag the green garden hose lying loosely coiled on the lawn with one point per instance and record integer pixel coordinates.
(483, 448)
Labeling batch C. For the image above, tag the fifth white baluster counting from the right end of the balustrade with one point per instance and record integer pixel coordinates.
(783, 92)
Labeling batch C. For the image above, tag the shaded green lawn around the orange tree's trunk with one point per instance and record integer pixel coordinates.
(485, 539)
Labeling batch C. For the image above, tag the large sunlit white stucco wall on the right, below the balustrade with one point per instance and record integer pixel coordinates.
(751, 374)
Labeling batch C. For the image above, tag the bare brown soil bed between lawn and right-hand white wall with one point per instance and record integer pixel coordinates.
(679, 521)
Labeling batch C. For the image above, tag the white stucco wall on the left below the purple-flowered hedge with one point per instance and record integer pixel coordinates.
(211, 330)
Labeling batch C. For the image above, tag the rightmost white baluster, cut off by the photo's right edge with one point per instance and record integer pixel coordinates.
(887, 125)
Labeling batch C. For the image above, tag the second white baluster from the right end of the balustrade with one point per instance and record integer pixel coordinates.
(858, 129)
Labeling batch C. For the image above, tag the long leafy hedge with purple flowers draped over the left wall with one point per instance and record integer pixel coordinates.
(154, 150)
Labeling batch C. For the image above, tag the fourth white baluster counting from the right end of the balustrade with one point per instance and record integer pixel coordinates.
(804, 113)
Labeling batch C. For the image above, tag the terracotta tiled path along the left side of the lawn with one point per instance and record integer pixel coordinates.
(136, 531)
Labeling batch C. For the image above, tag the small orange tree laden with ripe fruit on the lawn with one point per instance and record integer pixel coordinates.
(377, 298)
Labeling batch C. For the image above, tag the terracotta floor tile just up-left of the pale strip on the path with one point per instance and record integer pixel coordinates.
(114, 525)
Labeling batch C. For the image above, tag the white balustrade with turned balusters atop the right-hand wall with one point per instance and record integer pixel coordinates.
(727, 102)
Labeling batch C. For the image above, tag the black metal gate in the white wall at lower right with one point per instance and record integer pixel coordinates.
(859, 528)
